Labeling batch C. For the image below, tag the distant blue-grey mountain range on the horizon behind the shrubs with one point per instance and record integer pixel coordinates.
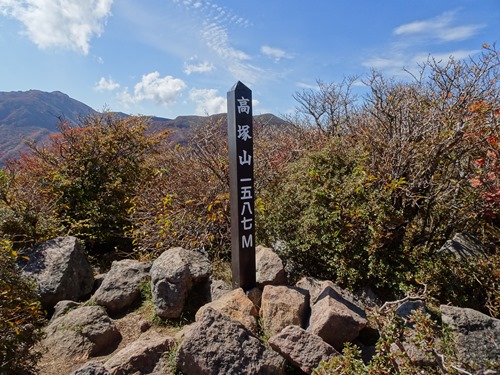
(34, 115)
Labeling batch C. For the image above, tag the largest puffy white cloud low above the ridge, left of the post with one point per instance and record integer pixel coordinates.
(162, 90)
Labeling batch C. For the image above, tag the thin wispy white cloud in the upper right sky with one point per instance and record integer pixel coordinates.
(440, 27)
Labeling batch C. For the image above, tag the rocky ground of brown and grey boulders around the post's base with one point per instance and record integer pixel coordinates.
(173, 315)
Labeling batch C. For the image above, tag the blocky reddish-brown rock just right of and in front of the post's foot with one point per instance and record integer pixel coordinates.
(283, 306)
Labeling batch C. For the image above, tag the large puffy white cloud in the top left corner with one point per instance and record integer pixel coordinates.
(69, 24)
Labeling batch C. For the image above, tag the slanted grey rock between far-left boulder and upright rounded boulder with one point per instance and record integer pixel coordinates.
(121, 285)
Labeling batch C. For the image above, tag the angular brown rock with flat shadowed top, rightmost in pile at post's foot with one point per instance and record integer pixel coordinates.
(336, 316)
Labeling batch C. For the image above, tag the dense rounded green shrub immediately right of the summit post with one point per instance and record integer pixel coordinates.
(335, 222)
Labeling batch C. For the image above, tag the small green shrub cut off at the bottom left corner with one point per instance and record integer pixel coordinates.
(21, 317)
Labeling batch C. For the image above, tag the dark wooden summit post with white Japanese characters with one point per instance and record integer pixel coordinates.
(240, 140)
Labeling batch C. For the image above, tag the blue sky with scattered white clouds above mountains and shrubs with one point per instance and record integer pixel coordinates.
(180, 57)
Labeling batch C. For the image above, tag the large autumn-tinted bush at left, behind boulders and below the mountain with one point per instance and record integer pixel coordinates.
(81, 182)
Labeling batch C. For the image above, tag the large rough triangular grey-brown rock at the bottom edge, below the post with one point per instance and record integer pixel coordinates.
(219, 345)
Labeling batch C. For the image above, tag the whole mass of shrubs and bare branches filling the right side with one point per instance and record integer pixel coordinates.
(400, 173)
